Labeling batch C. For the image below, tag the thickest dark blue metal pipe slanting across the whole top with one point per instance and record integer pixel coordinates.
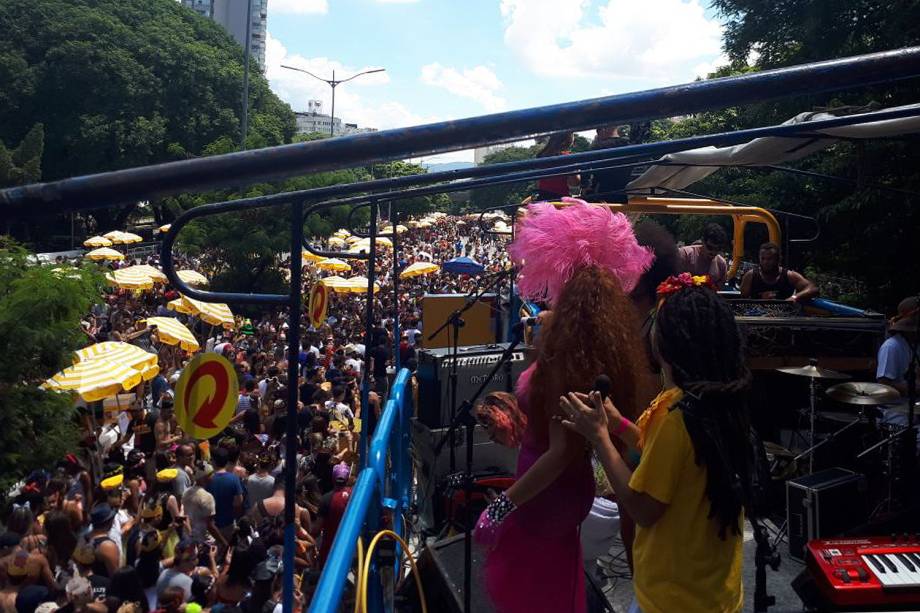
(246, 167)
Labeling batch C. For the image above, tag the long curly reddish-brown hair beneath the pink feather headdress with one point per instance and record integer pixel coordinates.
(594, 331)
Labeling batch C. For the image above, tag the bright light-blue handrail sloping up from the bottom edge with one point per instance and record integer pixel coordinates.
(375, 489)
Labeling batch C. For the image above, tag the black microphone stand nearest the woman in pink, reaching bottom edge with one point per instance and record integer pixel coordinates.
(464, 417)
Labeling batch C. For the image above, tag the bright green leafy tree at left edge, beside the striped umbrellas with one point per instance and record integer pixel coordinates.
(40, 311)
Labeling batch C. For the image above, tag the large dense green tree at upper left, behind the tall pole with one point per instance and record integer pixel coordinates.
(123, 83)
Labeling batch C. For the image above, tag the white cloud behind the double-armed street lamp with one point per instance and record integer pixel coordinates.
(297, 88)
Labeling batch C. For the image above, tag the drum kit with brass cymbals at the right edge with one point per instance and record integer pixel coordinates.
(866, 398)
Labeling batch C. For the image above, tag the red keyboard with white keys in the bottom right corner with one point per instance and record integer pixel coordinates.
(869, 571)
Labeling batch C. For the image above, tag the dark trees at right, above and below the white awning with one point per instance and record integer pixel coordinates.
(866, 233)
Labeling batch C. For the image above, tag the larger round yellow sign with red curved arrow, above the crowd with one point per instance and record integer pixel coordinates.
(206, 396)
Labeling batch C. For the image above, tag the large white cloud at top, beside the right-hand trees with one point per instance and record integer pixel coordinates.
(654, 40)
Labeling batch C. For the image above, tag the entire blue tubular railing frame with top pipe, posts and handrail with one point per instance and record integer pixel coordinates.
(380, 491)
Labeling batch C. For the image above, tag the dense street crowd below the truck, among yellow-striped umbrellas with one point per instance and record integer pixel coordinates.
(144, 518)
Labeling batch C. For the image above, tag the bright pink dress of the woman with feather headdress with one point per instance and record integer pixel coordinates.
(536, 563)
